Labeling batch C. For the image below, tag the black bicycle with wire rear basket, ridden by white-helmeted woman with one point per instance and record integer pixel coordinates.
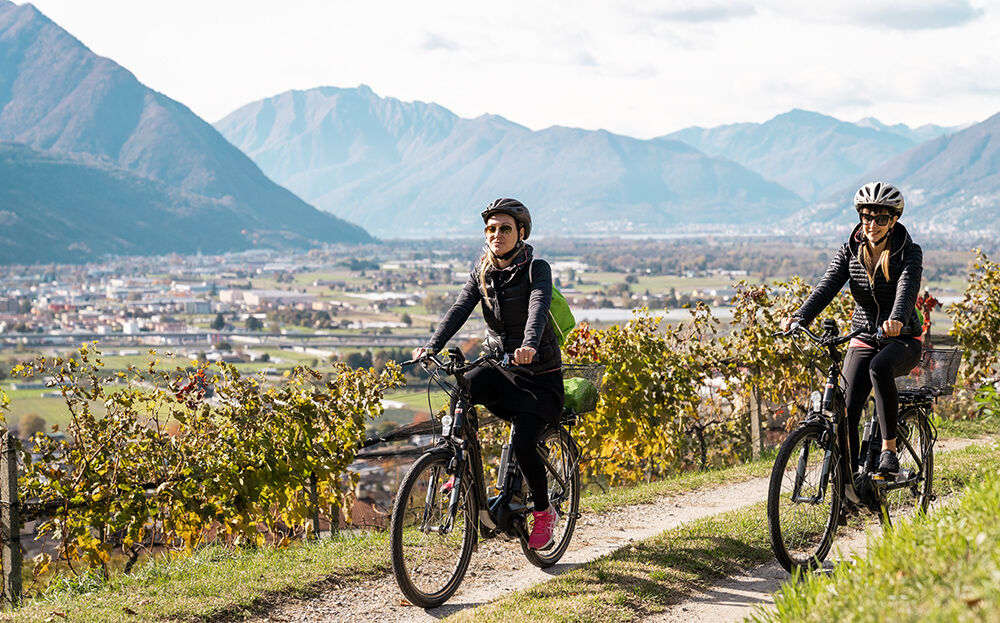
(808, 485)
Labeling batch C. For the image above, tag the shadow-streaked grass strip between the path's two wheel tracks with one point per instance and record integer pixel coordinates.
(647, 576)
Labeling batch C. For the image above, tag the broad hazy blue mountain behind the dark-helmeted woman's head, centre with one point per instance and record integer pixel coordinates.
(410, 168)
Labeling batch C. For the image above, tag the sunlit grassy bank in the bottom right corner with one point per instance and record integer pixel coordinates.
(944, 566)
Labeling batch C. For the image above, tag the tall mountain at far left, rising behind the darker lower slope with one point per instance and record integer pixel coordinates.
(57, 96)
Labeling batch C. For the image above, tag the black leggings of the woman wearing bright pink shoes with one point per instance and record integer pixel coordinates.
(530, 412)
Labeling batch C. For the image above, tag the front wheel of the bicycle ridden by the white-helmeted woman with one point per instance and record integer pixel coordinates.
(802, 504)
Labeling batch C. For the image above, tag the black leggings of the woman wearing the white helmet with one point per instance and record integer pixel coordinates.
(876, 367)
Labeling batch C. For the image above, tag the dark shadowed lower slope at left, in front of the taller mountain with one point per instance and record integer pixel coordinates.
(64, 208)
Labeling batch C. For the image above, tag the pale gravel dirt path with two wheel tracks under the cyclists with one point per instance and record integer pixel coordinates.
(499, 567)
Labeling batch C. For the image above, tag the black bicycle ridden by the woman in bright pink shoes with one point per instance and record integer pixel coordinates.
(441, 509)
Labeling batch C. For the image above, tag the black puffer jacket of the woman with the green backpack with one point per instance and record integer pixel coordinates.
(517, 315)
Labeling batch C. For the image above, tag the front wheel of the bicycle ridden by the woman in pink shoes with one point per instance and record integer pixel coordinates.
(431, 547)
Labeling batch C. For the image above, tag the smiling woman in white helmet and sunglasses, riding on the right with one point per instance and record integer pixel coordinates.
(883, 267)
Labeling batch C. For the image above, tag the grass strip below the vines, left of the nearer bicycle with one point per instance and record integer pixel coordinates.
(213, 583)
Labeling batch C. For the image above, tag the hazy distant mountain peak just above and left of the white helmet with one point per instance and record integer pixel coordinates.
(808, 153)
